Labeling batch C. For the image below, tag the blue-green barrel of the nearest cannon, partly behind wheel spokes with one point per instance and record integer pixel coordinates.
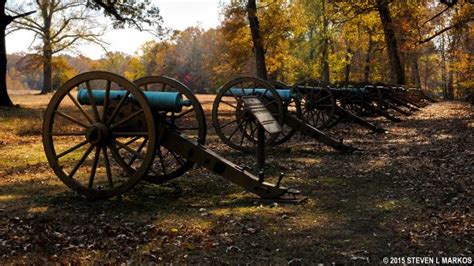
(158, 100)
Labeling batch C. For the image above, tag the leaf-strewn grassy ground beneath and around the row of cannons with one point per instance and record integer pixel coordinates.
(408, 193)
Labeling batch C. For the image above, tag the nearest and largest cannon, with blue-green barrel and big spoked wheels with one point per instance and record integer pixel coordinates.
(102, 134)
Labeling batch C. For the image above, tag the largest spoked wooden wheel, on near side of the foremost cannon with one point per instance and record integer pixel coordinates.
(87, 145)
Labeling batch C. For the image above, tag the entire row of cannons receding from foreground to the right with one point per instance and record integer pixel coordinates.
(102, 133)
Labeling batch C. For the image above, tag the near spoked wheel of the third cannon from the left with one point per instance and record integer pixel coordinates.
(317, 106)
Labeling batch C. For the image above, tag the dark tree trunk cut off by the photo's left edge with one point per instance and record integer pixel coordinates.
(4, 21)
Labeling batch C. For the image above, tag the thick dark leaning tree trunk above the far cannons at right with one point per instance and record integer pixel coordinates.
(396, 67)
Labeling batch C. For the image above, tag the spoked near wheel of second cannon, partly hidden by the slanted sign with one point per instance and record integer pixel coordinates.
(236, 126)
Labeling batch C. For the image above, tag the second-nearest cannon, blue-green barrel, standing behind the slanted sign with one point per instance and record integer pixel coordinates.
(236, 127)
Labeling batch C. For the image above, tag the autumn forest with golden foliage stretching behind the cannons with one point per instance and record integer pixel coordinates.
(336, 41)
